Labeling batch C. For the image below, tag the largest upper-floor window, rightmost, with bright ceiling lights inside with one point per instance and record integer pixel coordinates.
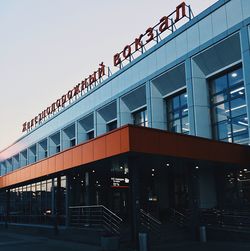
(228, 107)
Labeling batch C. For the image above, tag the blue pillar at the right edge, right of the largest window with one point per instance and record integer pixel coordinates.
(245, 54)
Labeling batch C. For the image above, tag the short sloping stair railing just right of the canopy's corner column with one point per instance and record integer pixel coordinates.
(149, 222)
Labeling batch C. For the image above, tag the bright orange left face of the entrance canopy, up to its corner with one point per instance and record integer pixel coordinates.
(96, 149)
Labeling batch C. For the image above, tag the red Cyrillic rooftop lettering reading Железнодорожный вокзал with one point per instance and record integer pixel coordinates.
(128, 53)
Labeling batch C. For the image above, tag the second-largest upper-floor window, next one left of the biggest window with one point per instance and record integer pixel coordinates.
(177, 113)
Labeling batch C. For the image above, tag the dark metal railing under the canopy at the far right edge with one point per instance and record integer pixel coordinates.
(226, 218)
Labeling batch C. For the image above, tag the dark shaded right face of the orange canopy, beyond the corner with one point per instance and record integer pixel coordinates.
(178, 145)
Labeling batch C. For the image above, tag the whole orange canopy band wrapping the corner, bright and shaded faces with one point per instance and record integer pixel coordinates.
(132, 139)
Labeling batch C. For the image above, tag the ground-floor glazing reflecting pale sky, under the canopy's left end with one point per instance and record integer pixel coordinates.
(36, 203)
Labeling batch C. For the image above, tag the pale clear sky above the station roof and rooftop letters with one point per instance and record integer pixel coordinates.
(48, 46)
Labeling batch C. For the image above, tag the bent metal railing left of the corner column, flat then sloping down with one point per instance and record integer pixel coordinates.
(94, 216)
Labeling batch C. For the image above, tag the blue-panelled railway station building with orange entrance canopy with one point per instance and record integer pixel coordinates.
(165, 138)
